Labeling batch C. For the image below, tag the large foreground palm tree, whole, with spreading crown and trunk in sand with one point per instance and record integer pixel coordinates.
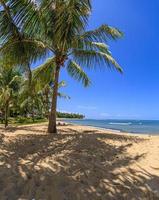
(59, 27)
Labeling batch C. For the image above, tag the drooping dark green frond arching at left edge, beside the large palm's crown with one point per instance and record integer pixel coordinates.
(23, 51)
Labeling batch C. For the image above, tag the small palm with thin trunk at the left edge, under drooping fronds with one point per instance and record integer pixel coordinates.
(10, 79)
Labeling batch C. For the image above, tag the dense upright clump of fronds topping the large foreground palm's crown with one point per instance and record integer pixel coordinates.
(65, 20)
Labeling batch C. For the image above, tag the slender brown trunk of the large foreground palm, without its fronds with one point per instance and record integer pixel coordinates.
(52, 118)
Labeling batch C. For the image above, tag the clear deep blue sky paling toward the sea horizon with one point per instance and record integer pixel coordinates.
(135, 94)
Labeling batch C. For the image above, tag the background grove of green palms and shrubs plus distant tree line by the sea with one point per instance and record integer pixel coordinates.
(22, 105)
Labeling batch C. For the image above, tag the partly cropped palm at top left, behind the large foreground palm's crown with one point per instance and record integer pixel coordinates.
(21, 53)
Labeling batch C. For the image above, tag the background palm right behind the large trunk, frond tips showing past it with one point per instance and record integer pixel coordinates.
(35, 98)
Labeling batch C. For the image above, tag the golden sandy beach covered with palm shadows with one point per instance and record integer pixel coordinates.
(81, 163)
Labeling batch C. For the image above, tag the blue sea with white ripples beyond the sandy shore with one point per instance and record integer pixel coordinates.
(132, 126)
